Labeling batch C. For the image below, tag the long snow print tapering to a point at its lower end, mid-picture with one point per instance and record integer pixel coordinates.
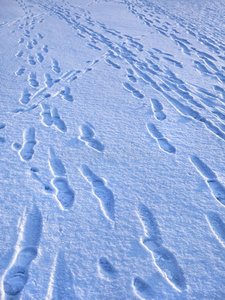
(101, 192)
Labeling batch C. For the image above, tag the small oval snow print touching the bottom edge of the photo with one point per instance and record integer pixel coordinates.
(142, 288)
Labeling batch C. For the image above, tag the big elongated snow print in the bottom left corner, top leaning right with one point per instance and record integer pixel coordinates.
(17, 276)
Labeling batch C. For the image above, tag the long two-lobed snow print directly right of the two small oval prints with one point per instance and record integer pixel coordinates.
(164, 260)
